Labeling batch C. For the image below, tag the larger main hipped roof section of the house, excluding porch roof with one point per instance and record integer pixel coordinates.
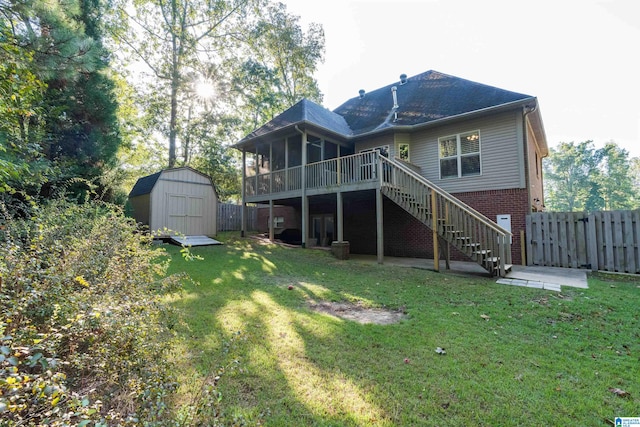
(423, 98)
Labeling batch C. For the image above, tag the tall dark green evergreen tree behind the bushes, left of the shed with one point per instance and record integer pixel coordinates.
(81, 123)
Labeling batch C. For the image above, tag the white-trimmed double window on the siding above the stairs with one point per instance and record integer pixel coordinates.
(459, 155)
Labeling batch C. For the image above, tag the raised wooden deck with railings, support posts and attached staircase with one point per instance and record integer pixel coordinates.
(453, 223)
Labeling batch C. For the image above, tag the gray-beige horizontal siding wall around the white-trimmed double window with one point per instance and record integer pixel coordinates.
(501, 156)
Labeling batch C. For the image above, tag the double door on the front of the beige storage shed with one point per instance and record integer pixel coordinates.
(185, 214)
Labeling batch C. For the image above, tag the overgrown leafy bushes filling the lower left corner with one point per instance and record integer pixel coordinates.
(83, 330)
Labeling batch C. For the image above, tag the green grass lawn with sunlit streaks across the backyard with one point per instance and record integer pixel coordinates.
(514, 356)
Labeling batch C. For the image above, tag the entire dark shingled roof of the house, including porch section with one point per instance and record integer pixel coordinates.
(421, 99)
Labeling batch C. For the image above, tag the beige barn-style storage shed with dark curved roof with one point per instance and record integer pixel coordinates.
(182, 200)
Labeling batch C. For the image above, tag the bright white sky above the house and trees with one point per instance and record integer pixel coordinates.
(580, 58)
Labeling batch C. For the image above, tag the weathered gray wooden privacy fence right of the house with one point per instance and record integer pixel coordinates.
(603, 240)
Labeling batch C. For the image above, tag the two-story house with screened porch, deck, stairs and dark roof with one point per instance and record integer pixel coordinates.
(429, 166)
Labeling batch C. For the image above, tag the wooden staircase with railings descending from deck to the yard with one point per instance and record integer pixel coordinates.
(455, 223)
